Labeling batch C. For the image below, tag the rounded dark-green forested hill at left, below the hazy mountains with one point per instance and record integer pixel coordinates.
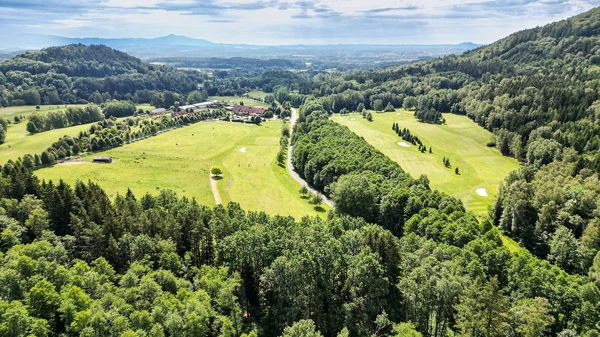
(73, 73)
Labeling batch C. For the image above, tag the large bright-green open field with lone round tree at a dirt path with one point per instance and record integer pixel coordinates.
(180, 160)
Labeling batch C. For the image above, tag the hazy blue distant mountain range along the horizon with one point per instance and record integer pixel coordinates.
(178, 46)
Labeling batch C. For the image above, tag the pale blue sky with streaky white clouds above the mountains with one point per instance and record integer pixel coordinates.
(270, 22)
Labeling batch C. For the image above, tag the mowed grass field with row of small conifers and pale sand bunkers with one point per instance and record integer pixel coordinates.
(460, 140)
